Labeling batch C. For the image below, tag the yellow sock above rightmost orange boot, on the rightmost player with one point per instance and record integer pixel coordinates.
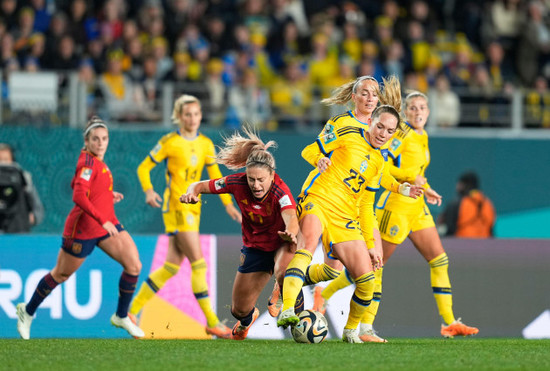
(441, 287)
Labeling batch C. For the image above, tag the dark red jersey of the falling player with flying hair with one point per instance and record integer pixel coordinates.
(261, 217)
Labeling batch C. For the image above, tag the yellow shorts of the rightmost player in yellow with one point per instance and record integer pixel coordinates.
(395, 227)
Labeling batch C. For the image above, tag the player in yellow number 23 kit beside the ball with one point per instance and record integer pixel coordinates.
(330, 207)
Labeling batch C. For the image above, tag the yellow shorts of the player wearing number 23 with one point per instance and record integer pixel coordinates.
(336, 228)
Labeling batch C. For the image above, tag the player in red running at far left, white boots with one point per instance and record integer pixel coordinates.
(91, 222)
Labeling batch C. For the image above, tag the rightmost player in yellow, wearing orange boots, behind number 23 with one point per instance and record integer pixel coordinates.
(400, 217)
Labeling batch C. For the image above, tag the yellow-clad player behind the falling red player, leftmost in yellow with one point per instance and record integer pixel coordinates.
(185, 152)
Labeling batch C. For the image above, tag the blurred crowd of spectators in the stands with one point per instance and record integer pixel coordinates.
(253, 60)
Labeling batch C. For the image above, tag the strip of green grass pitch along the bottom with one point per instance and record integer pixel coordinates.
(268, 355)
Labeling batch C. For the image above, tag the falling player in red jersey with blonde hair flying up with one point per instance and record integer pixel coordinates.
(269, 223)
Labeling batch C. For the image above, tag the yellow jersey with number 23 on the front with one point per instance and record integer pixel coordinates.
(355, 164)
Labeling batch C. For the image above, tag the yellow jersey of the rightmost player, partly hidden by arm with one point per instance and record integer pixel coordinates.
(411, 156)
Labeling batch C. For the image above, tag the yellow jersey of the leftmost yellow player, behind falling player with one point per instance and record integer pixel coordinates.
(185, 159)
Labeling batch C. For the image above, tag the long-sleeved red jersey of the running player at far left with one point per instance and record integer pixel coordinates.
(93, 197)
